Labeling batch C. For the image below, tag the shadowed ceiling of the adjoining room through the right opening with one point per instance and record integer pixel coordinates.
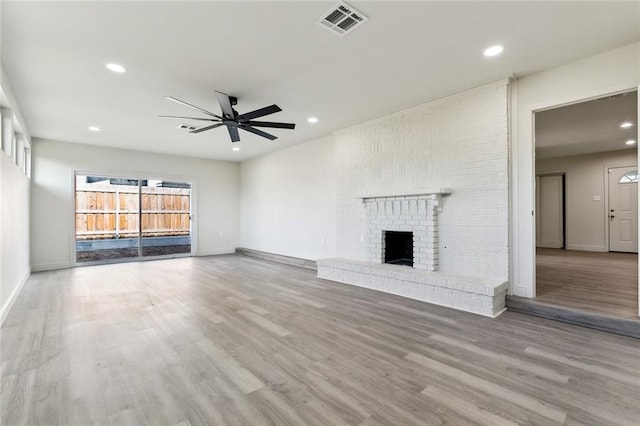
(587, 127)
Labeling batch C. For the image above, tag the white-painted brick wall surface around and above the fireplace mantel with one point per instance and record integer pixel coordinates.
(461, 143)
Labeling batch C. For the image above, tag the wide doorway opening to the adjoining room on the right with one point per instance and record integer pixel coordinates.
(587, 206)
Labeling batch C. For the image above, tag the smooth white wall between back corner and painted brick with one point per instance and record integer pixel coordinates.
(288, 201)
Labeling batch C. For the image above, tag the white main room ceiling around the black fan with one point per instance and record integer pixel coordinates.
(273, 52)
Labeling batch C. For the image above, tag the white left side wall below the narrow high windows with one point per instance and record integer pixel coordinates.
(14, 231)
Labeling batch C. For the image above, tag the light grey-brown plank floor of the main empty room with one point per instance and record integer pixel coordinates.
(235, 340)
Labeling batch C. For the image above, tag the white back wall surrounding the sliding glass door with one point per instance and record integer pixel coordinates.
(216, 201)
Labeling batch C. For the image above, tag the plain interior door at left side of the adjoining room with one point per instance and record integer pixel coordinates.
(549, 211)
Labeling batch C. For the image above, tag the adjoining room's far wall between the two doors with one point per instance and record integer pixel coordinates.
(586, 177)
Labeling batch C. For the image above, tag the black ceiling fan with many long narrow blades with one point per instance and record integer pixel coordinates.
(231, 118)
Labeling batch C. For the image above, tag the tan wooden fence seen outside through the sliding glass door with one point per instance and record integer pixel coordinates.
(112, 212)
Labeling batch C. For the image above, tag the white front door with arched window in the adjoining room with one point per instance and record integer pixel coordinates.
(623, 209)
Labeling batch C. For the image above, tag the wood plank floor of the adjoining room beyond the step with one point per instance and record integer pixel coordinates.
(605, 283)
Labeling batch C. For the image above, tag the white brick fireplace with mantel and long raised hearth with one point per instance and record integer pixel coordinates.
(416, 213)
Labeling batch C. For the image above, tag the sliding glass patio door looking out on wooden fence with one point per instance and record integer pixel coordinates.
(120, 219)
